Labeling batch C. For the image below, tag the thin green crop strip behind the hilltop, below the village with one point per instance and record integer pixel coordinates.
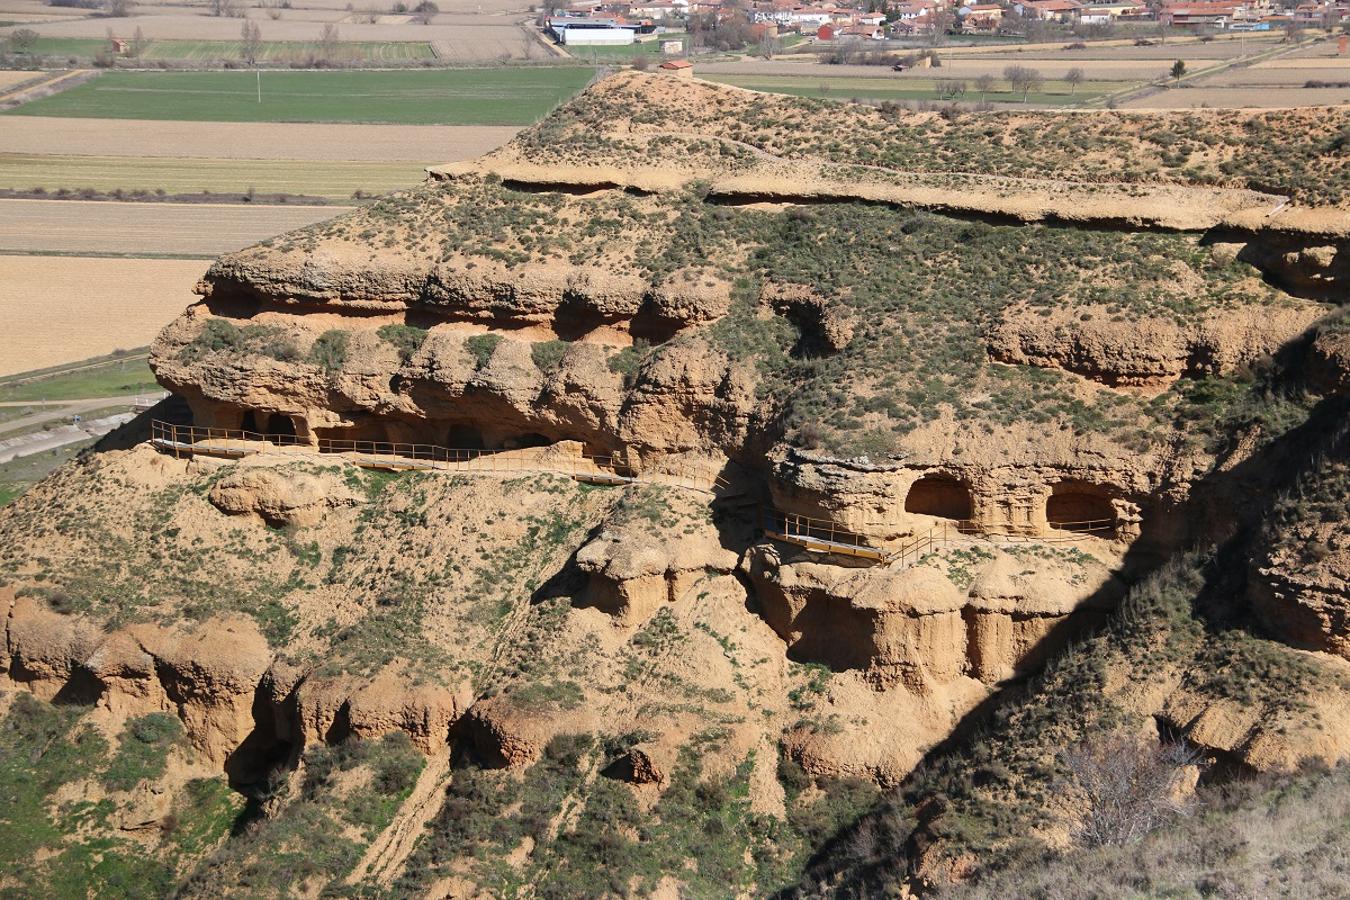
(878, 90)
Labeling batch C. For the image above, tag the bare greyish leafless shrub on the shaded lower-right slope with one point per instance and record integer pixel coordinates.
(1121, 787)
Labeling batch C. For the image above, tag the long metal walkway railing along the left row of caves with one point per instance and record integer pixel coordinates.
(604, 469)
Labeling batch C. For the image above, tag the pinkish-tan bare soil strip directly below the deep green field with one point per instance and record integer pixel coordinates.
(254, 141)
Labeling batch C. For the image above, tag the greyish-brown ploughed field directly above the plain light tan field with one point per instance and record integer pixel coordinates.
(203, 230)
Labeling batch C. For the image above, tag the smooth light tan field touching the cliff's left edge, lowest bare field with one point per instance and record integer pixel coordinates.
(57, 311)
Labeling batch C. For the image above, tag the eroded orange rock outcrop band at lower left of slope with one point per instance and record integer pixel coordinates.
(221, 681)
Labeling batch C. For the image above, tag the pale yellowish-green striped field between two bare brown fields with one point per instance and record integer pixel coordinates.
(335, 180)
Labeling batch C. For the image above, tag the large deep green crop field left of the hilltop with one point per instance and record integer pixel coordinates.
(427, 98)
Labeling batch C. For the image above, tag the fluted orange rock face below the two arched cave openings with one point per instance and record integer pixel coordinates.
(919, 628)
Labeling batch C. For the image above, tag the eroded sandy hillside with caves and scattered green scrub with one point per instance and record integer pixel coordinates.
(705, 495)
